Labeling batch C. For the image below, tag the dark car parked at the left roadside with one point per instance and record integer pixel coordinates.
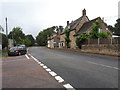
(18, 50)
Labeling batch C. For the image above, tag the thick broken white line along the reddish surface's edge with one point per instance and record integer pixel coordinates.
(58, 78)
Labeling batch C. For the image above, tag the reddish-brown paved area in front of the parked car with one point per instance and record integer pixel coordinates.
(24, 72)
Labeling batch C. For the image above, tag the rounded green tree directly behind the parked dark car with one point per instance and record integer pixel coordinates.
(17, 35)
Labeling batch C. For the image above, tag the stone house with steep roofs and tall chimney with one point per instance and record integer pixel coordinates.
(82, 25)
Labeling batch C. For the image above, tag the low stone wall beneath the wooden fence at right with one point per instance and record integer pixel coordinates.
(102, 49)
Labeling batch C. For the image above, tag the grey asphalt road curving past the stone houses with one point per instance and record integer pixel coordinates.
(80, 70)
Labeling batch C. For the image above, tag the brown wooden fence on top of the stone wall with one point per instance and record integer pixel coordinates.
(115, 40)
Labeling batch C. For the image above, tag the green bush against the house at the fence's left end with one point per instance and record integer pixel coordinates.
(80, 39)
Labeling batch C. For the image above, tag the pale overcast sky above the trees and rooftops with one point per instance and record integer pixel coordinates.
(35, 15)
